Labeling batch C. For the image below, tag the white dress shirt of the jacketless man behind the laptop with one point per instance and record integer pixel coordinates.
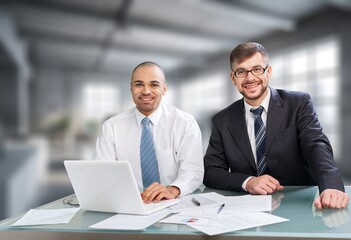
(177, 139)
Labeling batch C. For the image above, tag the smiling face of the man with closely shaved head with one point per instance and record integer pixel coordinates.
(148, 87)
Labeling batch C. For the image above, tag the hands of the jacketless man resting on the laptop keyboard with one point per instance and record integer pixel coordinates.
(155, 192)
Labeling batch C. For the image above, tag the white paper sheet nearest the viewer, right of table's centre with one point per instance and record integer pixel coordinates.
(213, 225)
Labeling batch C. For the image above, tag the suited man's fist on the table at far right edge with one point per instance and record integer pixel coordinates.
(332, 198)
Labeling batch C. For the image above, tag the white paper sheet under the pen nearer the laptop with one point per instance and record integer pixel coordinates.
(206, 199)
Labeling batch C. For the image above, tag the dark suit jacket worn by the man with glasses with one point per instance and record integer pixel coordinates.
(297, 151)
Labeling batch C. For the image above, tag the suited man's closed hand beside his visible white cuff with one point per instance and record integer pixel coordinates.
(263, 185)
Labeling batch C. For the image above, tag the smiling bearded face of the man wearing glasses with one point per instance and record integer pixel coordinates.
(253, 88)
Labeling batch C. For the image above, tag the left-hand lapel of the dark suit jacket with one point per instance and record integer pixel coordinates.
(238, 130)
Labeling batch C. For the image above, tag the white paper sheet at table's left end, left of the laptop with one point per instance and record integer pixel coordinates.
(46, 216)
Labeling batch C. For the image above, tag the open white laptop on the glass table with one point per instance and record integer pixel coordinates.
(109, 186)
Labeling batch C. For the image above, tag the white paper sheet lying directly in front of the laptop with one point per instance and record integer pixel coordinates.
(130, 222)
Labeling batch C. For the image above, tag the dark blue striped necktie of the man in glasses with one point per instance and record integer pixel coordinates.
(260, 138)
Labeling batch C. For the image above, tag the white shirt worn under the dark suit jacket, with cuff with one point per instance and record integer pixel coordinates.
(250, 123)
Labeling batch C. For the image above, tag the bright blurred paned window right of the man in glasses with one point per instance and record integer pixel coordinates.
(313, 68)
